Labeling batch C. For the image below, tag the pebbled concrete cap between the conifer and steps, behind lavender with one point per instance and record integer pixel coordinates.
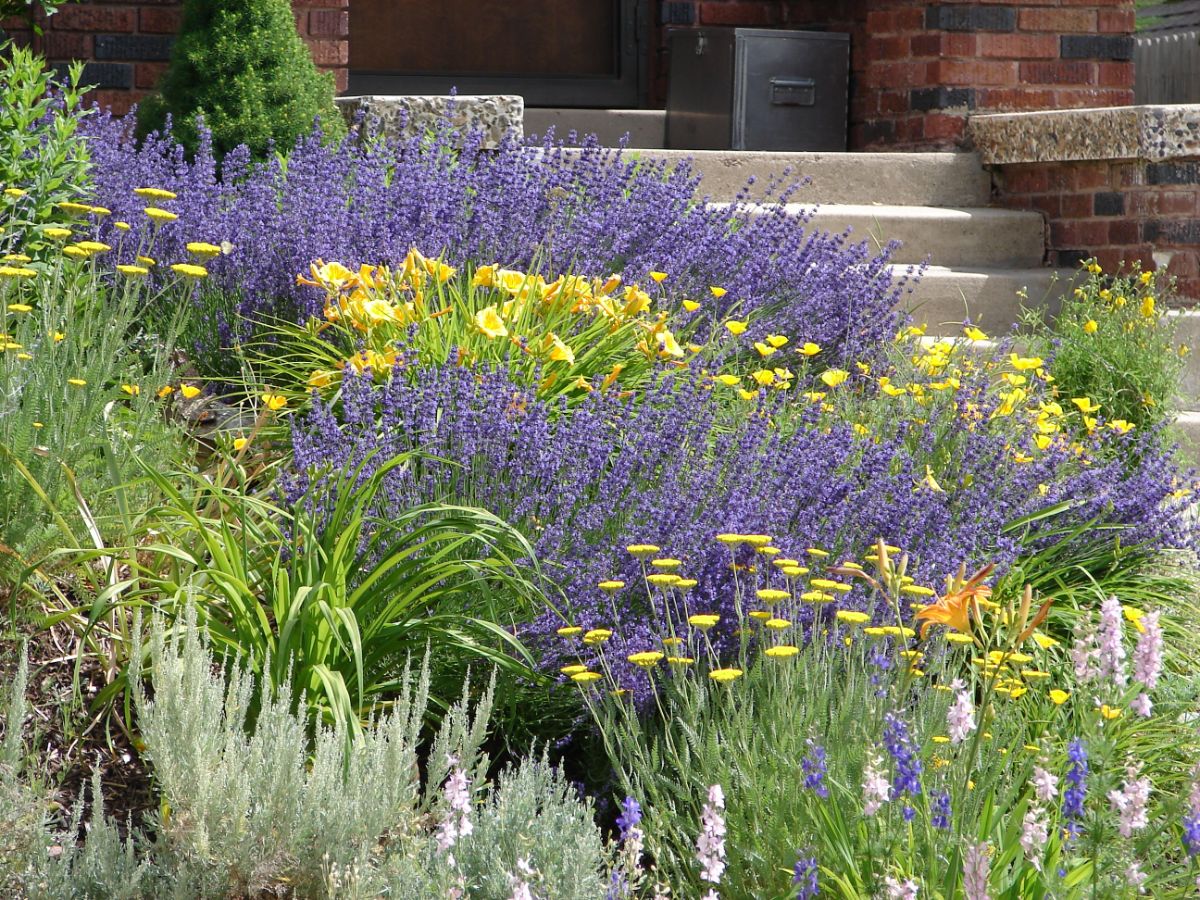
(407, 116)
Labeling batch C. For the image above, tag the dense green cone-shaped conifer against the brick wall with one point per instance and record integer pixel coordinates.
(242, 69)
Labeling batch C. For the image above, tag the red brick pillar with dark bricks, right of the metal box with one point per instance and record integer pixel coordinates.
(928, 65)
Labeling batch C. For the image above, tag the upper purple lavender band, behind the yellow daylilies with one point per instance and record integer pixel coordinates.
(547, 208)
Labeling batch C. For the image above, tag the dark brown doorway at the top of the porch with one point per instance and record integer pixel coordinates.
(568, 53)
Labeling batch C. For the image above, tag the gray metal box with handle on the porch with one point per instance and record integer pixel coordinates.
(758, 89)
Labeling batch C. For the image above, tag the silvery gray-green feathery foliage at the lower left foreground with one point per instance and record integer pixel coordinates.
(256, 802)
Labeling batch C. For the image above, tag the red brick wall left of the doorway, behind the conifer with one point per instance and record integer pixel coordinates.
(128, 44)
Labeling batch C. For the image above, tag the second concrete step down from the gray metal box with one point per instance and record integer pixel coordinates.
(979, 238)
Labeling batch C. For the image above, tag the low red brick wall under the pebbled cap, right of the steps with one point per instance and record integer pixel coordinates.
(1118, 211)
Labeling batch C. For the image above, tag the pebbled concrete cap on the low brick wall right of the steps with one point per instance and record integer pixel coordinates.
(1145, 133)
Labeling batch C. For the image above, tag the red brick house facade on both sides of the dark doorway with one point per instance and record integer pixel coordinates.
(917, 69)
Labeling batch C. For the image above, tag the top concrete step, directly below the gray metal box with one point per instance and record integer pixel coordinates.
(902, 179)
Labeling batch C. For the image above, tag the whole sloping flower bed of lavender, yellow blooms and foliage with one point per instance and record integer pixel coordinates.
(687, 481)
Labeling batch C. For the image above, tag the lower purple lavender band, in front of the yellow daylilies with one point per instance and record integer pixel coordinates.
(674, 469)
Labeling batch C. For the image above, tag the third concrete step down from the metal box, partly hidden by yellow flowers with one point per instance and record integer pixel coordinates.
(991, 298)
